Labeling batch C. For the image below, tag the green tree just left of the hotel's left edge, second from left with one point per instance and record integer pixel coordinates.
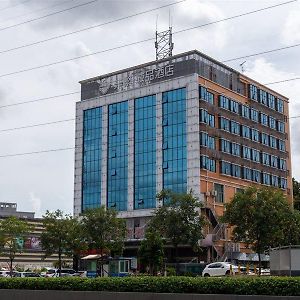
(63, 235)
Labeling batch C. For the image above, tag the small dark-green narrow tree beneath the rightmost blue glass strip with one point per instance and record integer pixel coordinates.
(151, 251)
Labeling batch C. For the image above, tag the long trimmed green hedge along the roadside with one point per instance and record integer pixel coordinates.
(276, 286)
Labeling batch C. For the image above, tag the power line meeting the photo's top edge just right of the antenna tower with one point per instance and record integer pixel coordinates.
(90, 27)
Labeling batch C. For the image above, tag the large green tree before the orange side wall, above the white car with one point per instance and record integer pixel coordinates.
(258, 216)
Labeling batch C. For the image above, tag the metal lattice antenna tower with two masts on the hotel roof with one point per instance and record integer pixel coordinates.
(163, 41)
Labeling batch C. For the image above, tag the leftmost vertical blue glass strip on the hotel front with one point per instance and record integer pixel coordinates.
(91, 175)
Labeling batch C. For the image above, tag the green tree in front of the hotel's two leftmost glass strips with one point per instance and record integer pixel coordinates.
(104, 231)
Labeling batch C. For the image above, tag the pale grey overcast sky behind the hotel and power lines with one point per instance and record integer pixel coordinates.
(45, 181)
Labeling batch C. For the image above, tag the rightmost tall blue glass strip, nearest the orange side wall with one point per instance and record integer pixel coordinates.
(174, 140)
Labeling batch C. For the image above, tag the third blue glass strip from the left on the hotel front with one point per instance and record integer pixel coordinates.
(145, 152)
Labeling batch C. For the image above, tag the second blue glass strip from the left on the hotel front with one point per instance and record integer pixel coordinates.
(117, 160)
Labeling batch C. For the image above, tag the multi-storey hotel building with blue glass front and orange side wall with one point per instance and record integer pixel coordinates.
(183, 123)
